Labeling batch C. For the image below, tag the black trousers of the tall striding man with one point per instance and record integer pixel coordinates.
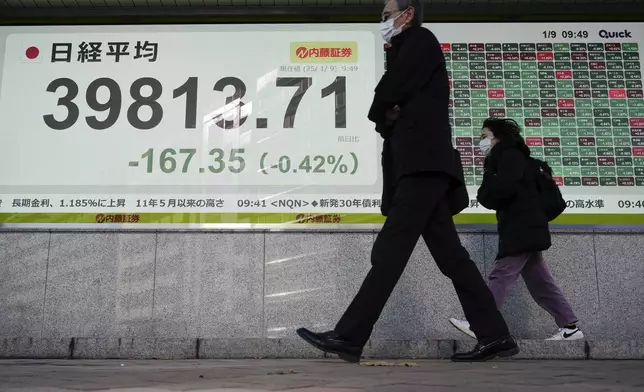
(420, 207)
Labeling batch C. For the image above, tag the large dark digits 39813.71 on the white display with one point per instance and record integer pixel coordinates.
(114, 102)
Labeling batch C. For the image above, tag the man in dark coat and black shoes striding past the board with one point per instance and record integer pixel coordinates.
(410, 110)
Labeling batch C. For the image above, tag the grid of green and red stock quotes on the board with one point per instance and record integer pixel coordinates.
(580, 105)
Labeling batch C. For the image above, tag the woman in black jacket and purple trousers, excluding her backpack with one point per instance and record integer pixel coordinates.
(510, 188)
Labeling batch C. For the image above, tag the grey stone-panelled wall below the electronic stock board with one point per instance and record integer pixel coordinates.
(214, 295)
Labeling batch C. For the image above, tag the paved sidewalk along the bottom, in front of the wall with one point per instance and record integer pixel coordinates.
(319, 376)
